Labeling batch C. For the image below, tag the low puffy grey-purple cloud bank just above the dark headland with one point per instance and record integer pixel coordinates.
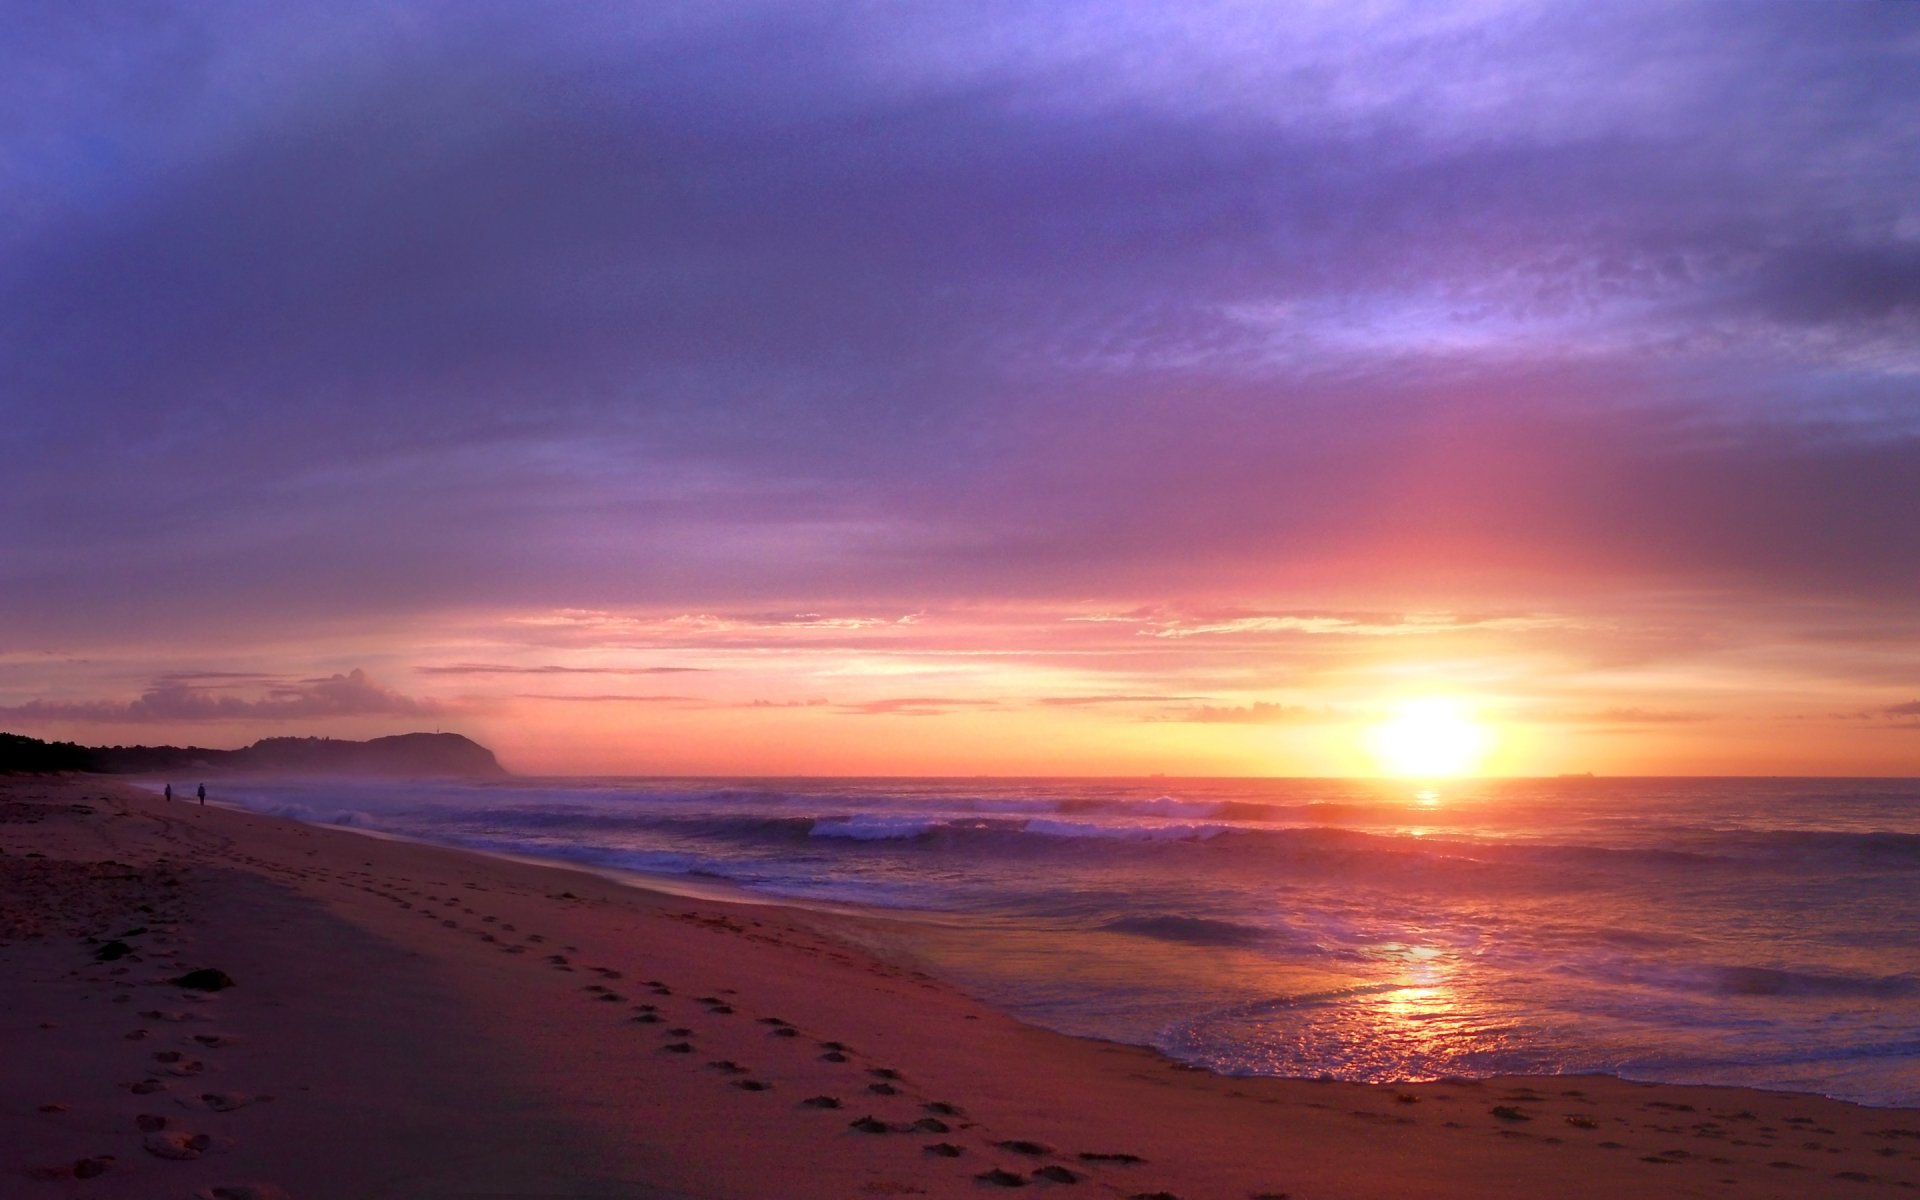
(174, 700)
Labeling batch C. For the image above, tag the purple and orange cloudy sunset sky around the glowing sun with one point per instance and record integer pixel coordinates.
(994, 389)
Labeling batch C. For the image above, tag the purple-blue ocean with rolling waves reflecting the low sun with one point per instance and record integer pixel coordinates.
(1740, 932)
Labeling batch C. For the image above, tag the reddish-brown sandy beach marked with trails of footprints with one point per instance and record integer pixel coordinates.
(418, 1022)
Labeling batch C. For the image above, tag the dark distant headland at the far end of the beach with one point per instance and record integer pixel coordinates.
(404, 756)
